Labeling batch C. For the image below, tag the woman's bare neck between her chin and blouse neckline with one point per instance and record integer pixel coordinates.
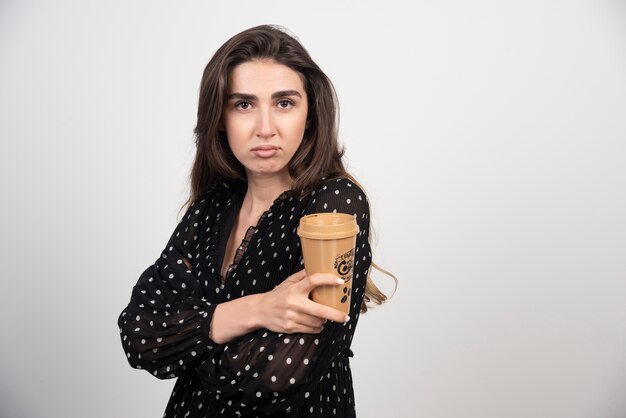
(262, 191)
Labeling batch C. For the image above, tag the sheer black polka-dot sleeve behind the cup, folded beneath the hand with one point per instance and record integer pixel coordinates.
(272, 373)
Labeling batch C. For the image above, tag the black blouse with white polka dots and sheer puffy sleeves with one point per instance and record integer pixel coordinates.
(165, 327)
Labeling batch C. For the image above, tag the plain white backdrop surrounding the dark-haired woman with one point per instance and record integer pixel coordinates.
(490, 136)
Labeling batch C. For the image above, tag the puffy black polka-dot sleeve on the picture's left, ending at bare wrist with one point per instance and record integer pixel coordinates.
(165, 326)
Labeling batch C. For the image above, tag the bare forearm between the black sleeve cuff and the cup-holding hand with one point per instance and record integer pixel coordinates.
(235, 318)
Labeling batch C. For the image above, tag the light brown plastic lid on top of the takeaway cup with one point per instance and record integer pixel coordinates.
(328, 226)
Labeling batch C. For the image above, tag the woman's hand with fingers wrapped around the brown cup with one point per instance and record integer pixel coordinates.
(288, 309)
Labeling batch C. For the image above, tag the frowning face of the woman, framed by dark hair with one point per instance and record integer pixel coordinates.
(265, 116)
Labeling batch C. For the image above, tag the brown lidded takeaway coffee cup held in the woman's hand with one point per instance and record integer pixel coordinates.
(328, 243)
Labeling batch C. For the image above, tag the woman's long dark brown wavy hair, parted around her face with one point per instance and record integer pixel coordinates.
(319, 154)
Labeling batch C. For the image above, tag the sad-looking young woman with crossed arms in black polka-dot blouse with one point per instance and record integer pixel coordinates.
(225, 308)
